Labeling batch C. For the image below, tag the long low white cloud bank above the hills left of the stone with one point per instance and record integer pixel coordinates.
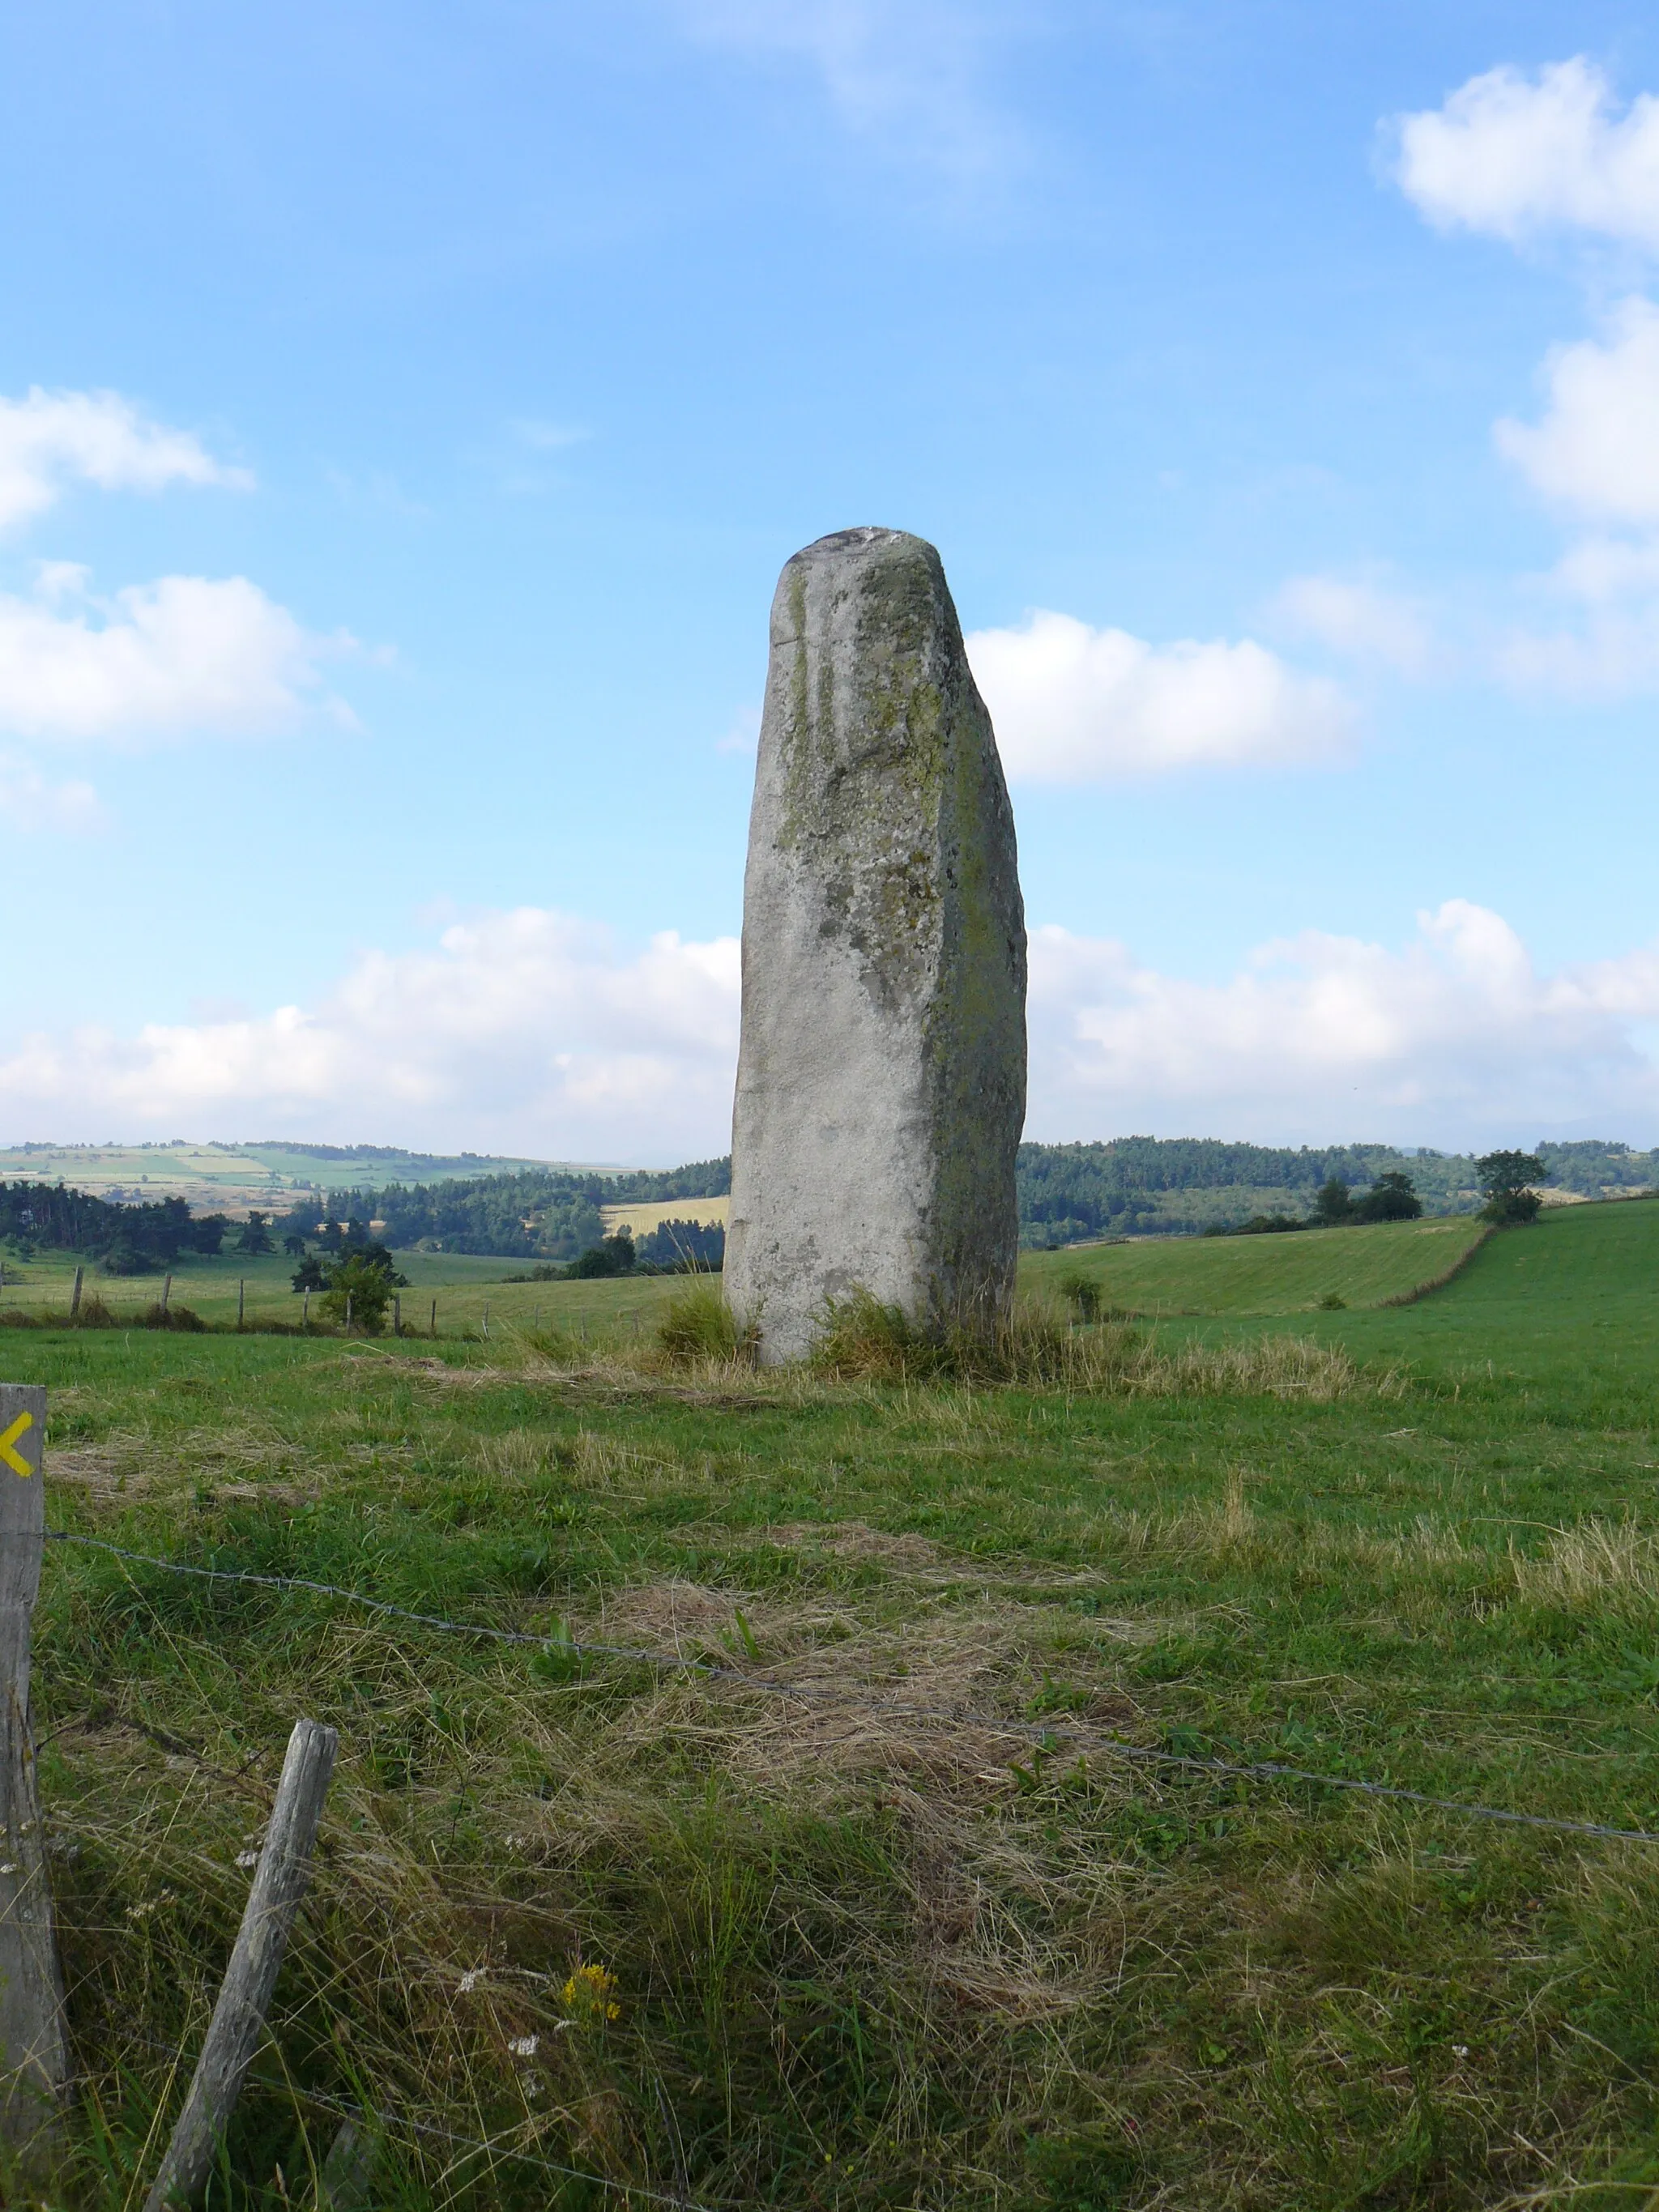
(523, 1032)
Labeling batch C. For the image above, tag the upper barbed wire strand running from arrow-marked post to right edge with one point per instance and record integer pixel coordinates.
(1034, 1733)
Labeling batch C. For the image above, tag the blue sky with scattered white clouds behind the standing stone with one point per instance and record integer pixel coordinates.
(426, 401)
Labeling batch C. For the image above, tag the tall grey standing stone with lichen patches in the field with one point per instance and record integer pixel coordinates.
(881, 1081)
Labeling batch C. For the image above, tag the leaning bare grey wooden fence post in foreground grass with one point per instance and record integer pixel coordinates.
(251, 1979)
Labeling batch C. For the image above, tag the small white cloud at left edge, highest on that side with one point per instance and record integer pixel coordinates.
(52, 439)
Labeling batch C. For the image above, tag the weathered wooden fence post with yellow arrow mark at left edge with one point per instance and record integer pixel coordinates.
(34, 2056)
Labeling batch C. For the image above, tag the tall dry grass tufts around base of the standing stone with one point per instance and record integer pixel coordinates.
(1034, 1346)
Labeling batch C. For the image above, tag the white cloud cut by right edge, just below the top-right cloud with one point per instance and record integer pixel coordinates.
(1598, 444)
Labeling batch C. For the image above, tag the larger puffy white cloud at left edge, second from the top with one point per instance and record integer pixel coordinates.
(180, 656)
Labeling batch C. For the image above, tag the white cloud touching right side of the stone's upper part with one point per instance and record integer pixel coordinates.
(1078, 707)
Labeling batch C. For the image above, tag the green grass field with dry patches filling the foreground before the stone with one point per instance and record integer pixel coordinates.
(875, 1945)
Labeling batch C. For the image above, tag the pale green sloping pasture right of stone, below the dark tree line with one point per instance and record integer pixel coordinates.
(1264, 1275)
